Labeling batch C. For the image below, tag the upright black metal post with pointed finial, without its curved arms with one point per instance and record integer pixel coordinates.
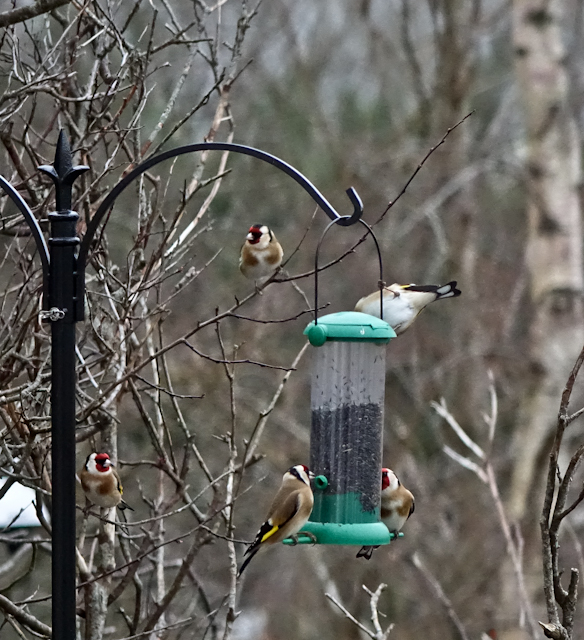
(63, 243)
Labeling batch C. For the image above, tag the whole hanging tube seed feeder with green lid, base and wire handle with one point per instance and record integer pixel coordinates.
(346, 440)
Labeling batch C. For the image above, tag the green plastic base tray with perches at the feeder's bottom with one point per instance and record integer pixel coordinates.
(363, 534)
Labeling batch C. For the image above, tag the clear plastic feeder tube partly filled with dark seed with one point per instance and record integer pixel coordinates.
(347, 402)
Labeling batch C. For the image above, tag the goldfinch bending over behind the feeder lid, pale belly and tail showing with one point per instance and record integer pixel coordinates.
(403, 302)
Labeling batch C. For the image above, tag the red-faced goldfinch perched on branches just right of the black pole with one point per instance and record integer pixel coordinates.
(101, 482)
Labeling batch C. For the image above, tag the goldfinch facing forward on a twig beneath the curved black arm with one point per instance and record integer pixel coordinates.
(261, 254)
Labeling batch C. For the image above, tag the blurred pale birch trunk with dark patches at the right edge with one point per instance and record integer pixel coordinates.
(553, 254)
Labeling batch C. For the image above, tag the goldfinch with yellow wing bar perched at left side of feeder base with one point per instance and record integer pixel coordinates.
(289, 512)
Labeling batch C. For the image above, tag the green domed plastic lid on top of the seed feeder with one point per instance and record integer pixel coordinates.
(349, 326)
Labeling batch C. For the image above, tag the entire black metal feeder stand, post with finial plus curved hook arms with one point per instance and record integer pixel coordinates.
(63, 265)
